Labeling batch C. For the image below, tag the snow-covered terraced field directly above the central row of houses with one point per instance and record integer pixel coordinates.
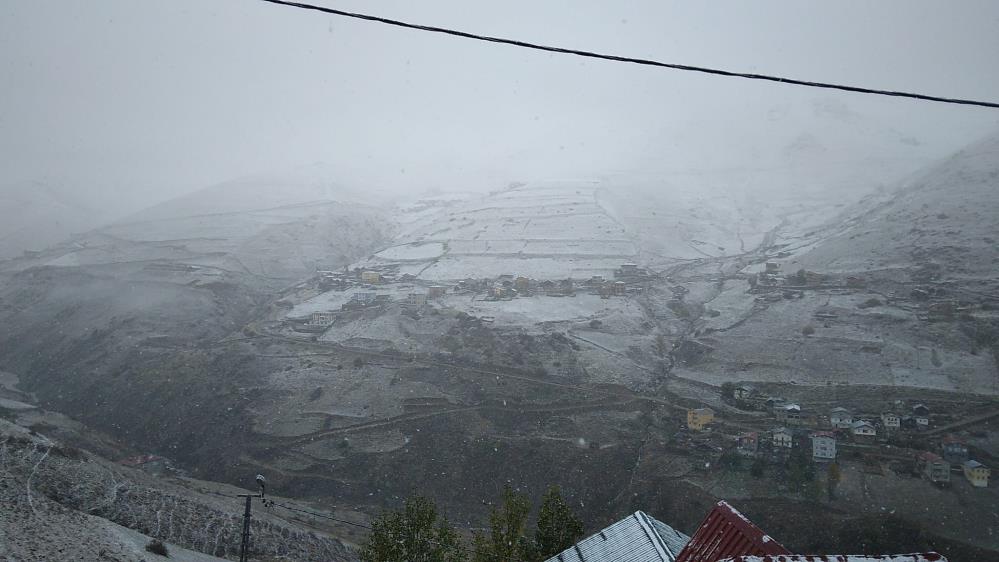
(548, 230)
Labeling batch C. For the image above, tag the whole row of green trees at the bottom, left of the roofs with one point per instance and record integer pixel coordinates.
(418, 532)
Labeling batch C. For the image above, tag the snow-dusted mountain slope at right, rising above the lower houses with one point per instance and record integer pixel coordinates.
(920, 311)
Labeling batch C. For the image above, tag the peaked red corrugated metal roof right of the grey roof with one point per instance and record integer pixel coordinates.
(725, 533)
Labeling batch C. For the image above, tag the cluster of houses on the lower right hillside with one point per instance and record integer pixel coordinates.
(821, 433)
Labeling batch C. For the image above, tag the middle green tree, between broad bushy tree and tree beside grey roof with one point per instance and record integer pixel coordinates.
(507, 538)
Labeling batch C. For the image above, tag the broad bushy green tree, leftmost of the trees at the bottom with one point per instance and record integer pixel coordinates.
(415, 533)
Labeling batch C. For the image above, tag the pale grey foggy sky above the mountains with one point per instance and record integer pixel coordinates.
(145, 100)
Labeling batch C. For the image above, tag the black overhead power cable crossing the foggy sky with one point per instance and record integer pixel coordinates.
(645, 62)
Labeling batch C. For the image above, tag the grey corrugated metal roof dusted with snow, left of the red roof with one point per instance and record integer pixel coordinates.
(636, 538)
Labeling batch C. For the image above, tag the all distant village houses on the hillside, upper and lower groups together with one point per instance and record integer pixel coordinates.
(905, 435)
